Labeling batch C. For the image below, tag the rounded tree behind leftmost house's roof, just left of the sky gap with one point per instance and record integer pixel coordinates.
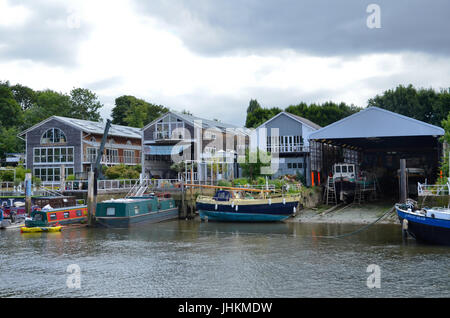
(84, 104)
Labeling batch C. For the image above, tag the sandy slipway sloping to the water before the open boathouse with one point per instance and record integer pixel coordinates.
(347, 214)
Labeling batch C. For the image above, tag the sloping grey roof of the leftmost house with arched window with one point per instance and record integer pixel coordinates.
(99, 127)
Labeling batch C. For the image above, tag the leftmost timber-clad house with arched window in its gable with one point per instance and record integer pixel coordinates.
(73, 143)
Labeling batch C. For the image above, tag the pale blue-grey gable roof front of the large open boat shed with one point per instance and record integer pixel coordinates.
(376, 122)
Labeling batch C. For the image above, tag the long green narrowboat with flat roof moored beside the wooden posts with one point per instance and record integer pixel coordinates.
(123, 213)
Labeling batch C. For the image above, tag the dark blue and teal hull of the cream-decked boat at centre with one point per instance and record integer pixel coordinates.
(229, 212)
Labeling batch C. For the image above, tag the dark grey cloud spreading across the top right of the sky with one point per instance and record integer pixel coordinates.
(320, 27)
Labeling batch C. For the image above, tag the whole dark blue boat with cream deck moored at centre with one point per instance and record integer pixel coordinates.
(225, 206)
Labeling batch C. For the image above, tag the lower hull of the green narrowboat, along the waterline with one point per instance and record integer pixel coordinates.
(147, 218)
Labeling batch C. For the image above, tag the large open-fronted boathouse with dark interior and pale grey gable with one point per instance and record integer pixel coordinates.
(376, 139)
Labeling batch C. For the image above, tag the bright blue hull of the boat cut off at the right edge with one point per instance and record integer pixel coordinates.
(426, 229)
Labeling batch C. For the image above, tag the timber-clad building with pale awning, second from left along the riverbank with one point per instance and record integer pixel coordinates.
(191, 138)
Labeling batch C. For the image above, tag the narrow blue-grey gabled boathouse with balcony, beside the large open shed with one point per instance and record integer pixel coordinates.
(291, 144)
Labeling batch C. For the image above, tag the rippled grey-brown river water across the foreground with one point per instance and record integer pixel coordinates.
(193, 259)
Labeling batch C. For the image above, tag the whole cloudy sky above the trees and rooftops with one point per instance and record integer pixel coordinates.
(212, 56)
